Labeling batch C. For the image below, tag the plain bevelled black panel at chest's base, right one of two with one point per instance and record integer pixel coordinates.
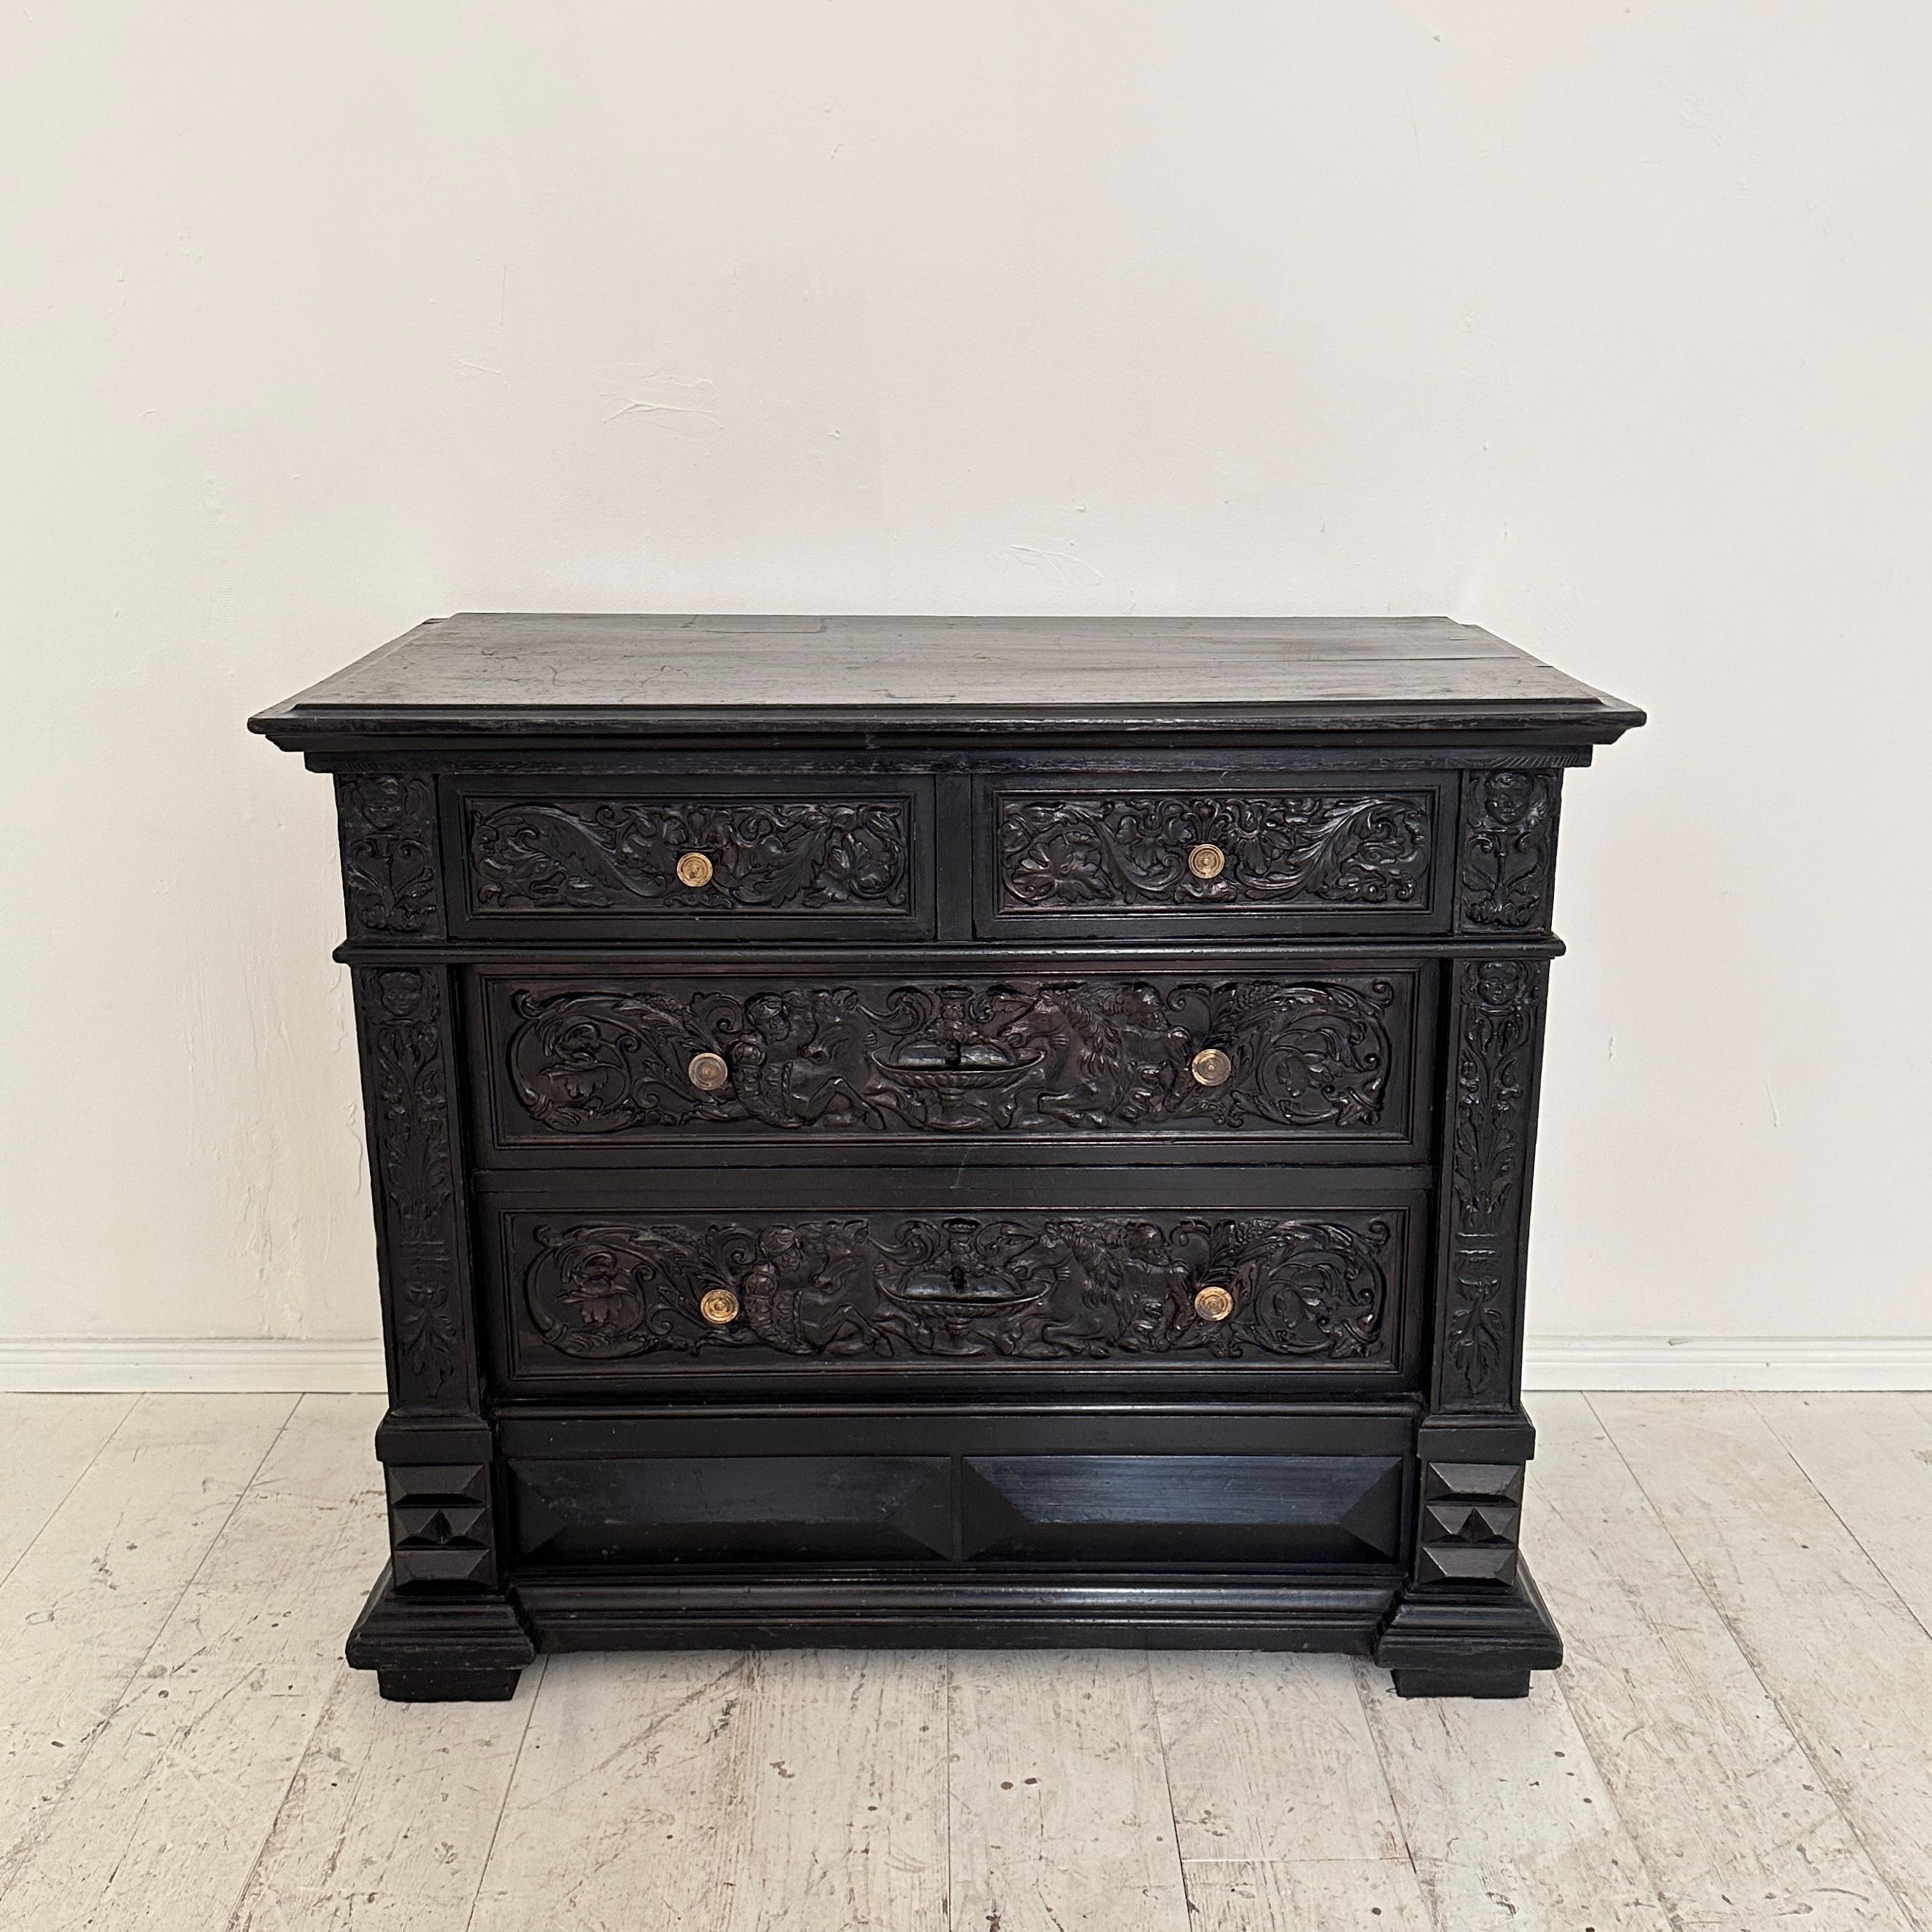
(1205, 1508)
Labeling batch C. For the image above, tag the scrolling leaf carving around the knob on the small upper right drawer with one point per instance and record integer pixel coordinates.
(1338, 849)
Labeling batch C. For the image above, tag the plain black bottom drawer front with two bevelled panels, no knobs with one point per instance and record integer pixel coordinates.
(986, 1489)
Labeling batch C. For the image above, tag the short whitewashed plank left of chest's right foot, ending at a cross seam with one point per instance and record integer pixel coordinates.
(1268, 1757)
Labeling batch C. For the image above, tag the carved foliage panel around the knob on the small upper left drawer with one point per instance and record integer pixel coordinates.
(621, 855)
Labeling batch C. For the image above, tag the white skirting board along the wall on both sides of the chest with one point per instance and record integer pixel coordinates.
(1556, 1363)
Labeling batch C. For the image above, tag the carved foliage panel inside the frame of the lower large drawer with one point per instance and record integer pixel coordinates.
(990, 1288)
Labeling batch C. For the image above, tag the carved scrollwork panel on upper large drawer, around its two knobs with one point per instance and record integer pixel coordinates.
(1023, 1056)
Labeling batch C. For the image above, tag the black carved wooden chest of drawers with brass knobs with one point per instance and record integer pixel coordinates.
(952, 1131)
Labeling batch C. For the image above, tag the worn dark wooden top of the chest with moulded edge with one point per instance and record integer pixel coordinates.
(604, 675)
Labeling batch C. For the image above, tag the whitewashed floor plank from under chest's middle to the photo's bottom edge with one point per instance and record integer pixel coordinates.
(1060, 1807)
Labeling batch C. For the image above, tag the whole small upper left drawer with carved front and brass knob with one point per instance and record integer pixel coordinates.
(695, 859)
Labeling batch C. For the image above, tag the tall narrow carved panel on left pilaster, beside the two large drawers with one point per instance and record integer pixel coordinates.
(403, 1015)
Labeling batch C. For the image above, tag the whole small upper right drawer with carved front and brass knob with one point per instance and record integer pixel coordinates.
(1189, 857)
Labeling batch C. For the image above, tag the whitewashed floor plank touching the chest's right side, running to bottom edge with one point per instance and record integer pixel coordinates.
(1732, 1819)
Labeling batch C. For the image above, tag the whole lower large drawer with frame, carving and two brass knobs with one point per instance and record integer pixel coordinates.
(903, 1280)
